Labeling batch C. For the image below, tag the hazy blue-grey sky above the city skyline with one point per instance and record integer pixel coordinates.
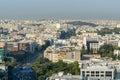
(60, 9)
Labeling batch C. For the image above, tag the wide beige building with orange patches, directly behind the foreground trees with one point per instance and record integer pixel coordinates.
(67, 54)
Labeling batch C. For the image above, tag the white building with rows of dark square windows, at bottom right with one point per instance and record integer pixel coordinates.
(97, 72)
